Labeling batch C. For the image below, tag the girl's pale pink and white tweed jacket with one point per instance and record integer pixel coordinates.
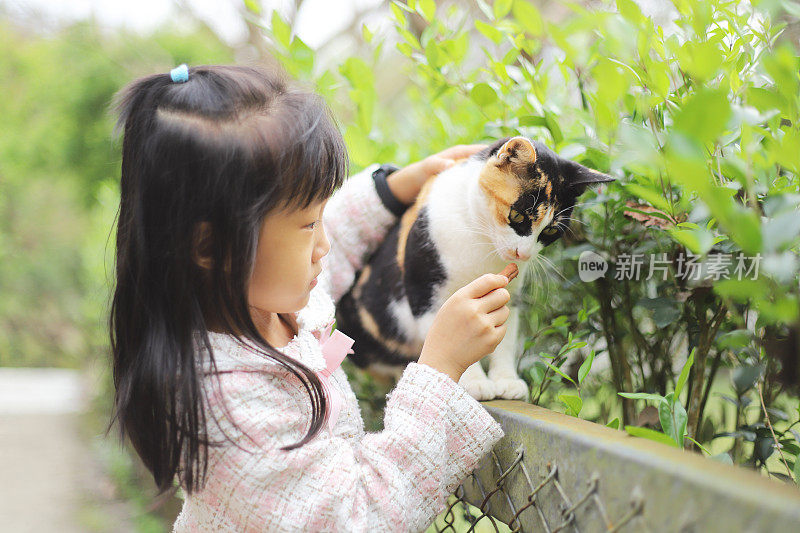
(394, 480)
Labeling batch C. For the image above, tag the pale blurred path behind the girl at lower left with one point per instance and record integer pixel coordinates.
(49, 478)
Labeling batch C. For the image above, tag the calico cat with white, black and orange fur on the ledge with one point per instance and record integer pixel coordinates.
(503, 204)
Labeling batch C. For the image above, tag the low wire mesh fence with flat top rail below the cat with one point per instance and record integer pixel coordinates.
(553, 472)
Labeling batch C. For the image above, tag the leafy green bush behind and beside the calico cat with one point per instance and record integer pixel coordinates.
(696, 115)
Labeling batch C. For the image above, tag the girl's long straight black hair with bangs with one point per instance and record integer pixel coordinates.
(219, 151)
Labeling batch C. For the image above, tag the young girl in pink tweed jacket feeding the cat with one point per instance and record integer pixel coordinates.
(232, 249)
